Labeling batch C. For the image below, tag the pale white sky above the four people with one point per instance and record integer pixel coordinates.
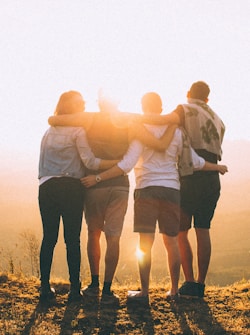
(125, 47)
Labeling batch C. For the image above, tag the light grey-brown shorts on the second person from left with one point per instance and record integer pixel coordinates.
(105, 209)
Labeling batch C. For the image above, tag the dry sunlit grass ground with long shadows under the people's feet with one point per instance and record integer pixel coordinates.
(223, 311)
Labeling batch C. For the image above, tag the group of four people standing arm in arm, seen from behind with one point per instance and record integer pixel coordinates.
(97, 150)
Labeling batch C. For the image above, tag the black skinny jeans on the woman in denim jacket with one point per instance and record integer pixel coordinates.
(61, 197)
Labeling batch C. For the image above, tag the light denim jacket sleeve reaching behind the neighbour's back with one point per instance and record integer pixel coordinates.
(87, 156)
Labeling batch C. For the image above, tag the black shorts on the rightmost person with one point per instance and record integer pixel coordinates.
(199, 196)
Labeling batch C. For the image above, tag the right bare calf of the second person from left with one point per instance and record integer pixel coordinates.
(111, 257)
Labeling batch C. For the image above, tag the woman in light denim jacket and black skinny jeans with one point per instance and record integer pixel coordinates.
(61, 195)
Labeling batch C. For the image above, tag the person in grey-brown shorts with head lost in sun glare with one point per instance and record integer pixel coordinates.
(106, 204)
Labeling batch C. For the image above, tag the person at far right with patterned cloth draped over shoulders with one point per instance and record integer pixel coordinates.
(200, 191)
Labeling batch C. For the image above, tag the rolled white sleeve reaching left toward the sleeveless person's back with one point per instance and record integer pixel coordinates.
(131, 157)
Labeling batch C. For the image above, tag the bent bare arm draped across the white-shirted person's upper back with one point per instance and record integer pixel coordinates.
(140, 133)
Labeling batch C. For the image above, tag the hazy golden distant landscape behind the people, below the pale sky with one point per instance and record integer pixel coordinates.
(19, 217)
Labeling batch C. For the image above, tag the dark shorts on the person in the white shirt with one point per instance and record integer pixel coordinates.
(156, 203)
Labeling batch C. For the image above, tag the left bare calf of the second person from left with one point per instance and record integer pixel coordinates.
(94, 251)
